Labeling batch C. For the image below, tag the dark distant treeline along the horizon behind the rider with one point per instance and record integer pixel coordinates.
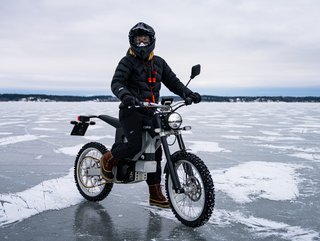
(107, 98)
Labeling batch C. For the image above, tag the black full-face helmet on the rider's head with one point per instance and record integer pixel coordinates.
(141, 29)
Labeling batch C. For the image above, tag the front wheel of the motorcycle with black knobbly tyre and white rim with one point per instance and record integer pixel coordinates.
(195, 205)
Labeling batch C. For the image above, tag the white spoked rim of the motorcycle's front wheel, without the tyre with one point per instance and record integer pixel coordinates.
(188, 205)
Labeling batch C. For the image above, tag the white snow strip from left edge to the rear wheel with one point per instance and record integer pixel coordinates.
(53, 194)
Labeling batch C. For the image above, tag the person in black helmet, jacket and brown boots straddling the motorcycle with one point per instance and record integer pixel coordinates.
(137, 79)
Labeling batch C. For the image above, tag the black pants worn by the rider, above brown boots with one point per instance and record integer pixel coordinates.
(132, 121)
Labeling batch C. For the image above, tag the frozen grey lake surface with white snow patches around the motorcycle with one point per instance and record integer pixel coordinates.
(264, 159)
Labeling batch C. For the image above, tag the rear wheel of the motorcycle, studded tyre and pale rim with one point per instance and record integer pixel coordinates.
(87, 174)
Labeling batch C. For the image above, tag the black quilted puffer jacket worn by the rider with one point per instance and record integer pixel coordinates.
(131, 78)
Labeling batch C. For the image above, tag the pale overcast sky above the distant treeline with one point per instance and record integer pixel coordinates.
(244, 46)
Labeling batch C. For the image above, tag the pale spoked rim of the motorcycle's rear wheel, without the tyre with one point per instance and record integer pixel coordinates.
(90, 185)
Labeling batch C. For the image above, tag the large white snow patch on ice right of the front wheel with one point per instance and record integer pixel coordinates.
(253, 180)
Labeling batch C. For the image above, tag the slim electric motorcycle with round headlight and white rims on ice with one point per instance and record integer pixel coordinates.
(188, 183)
